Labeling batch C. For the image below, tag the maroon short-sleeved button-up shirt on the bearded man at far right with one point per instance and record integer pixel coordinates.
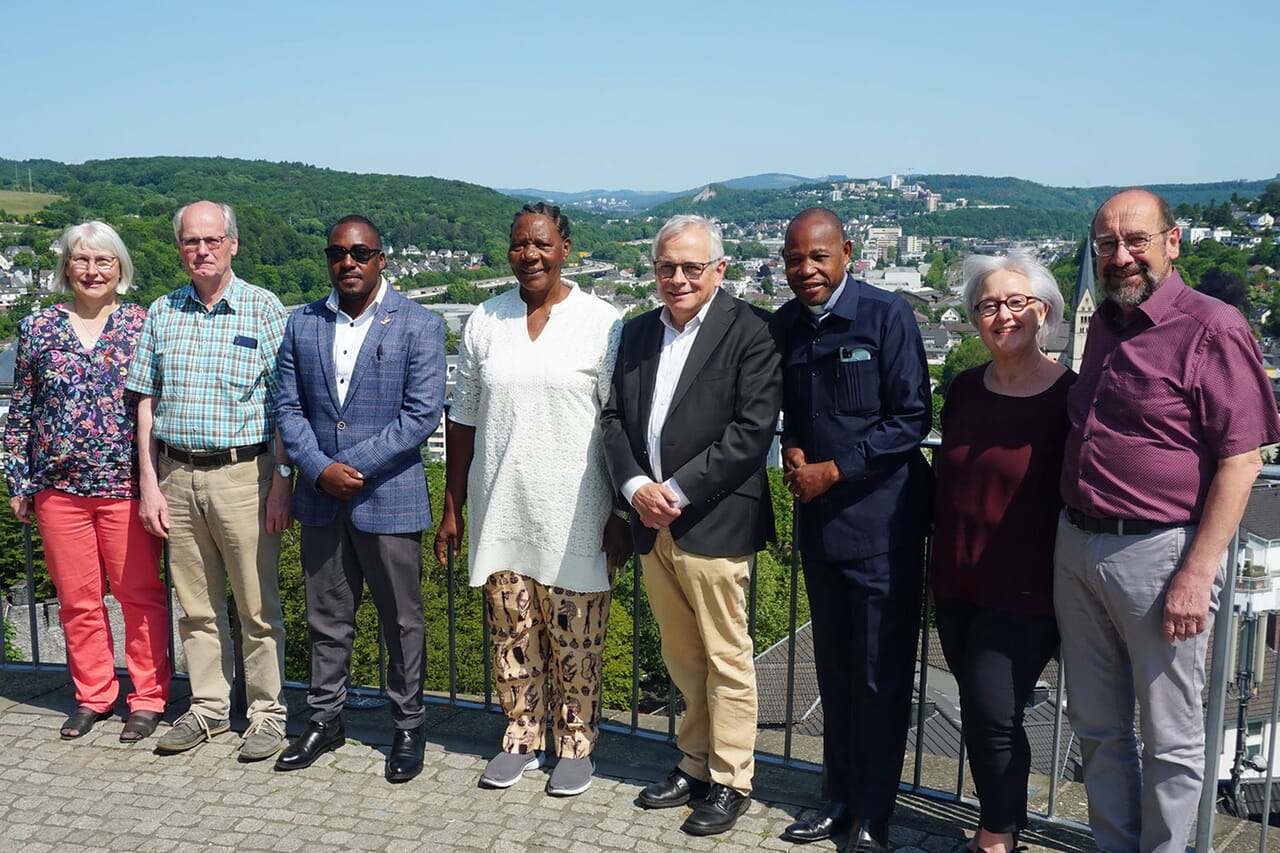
(1164, 395)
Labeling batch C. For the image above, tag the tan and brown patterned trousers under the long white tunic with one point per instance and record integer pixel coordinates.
(548, 647)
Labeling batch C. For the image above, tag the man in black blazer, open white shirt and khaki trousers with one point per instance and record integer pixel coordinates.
(694, 407)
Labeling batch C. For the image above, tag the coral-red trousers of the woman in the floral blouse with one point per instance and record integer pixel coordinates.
(88, 544)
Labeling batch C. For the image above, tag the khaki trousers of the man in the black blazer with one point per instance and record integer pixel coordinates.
(701, 605)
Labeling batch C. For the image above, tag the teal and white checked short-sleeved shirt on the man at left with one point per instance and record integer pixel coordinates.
(213, 371)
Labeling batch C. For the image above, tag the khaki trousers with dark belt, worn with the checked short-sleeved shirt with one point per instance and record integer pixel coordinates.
(218, 535)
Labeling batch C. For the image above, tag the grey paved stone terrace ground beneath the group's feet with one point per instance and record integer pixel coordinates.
(99, 795)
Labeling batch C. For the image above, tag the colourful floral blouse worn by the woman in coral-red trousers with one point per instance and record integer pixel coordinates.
(72, 425)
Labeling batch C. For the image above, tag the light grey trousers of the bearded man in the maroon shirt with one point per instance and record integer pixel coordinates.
(1109, 594)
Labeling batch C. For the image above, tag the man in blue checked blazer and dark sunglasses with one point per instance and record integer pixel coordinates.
(362, 386)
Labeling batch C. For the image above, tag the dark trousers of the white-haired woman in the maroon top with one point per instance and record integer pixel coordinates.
(996, 659)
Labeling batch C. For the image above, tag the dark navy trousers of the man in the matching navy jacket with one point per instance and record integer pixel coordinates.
(866, 623)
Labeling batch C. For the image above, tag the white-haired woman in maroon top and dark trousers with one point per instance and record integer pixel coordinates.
(1004, 427)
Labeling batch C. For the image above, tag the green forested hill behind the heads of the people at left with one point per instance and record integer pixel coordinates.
(284, 211)
